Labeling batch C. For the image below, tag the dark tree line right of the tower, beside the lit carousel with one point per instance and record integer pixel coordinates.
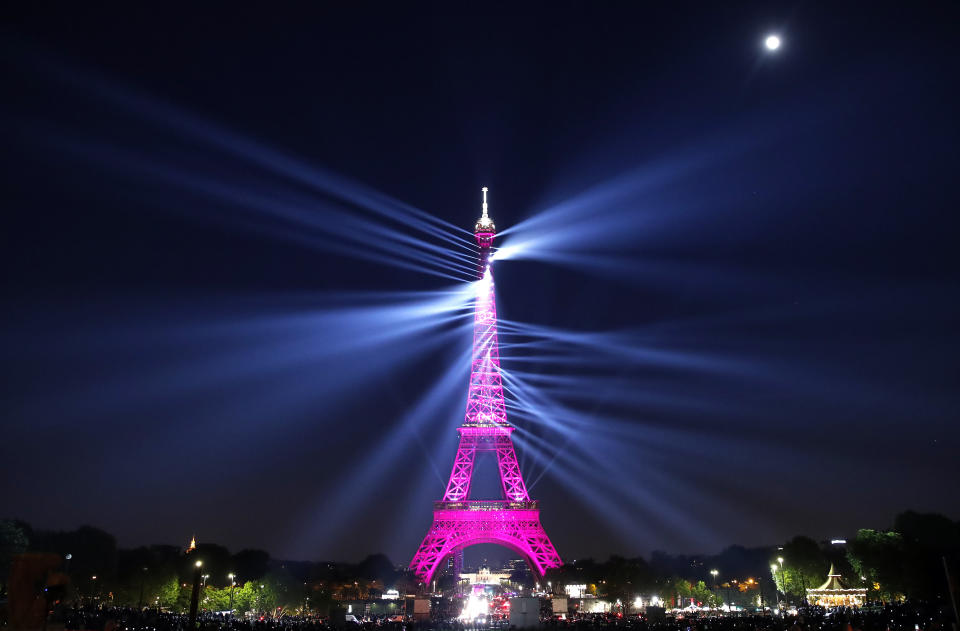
(904, 561)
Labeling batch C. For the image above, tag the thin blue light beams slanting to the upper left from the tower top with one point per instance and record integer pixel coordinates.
(291, 192)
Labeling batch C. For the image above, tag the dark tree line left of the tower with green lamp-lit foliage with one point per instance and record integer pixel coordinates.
(160, 575)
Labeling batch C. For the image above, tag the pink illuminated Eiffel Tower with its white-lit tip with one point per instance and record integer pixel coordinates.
(458, 521)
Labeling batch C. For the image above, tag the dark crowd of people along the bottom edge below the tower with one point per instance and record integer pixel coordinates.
(898, 617)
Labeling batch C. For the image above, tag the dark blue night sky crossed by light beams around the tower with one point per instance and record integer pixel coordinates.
(755, 251)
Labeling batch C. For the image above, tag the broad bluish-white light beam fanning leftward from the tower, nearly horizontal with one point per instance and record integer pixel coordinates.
(294, 349)
